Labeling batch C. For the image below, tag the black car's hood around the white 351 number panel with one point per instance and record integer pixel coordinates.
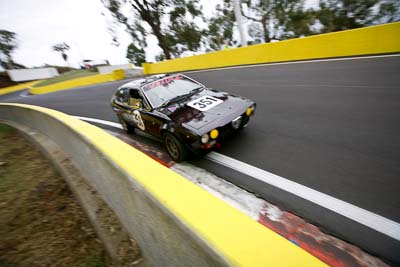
(204, 121)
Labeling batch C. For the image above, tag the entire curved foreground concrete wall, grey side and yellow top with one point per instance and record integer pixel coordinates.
(175, 222)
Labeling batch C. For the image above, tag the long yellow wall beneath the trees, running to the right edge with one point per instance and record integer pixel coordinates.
(365, 41)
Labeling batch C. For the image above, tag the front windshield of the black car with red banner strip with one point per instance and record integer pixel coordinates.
(172, 87)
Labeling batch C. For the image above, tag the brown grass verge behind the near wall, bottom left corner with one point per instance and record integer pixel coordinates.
(41, 223)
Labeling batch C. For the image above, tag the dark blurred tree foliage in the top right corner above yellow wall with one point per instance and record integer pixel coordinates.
(338, 15)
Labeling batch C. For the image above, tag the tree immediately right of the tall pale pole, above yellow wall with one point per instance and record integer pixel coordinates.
(277, 20)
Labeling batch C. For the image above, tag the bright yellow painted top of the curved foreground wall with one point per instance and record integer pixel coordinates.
(238, 238)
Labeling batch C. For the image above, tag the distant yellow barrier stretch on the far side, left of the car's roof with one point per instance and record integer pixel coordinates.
(84, 81)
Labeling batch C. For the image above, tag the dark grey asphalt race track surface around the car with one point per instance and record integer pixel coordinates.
(333, 126)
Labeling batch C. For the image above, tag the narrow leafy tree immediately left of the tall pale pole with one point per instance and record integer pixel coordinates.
(220, 26)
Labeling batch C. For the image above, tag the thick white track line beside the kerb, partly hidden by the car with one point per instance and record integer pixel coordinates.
(357, 214)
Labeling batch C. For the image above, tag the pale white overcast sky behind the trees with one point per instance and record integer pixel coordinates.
(40, 24)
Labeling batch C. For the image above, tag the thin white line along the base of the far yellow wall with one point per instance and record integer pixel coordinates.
(293, 62)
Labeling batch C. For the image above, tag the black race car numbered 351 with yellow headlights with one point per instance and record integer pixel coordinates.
(182, 112)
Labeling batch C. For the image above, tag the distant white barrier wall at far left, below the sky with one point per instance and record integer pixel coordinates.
(21, 75)
